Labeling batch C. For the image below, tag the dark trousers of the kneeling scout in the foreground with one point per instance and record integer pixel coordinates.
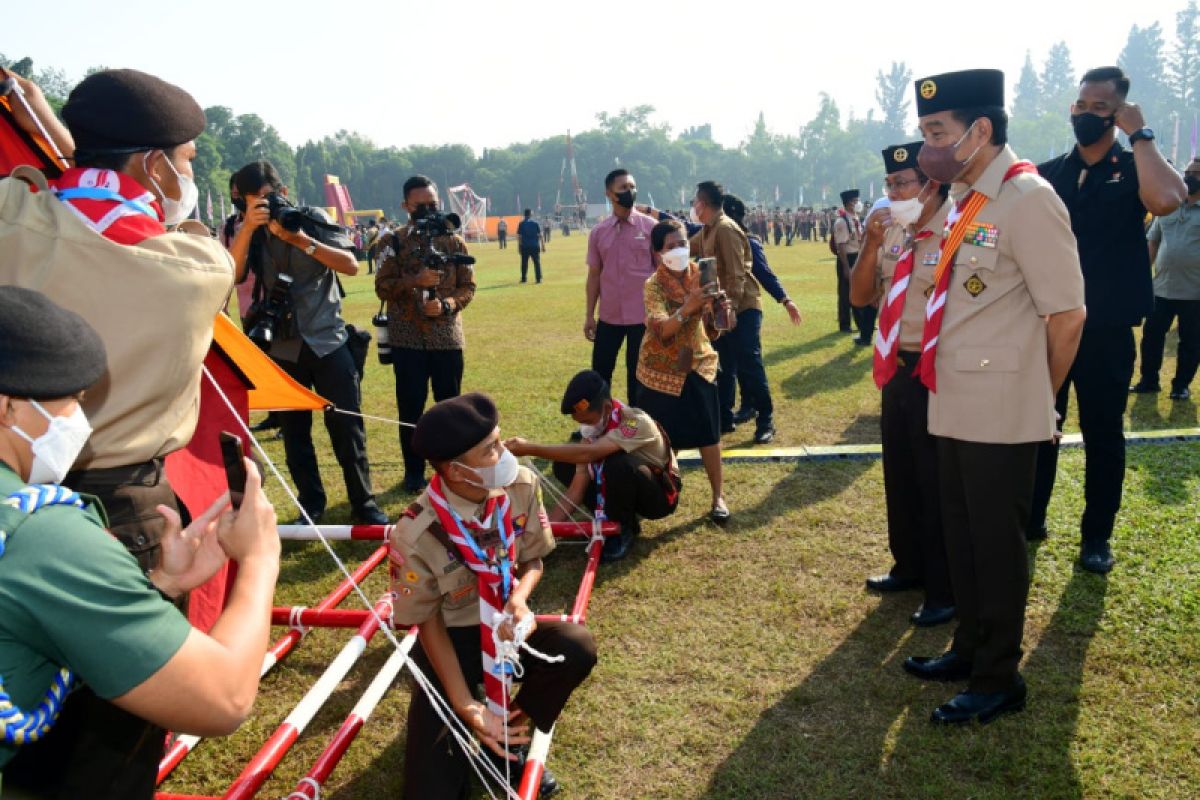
(435, 767)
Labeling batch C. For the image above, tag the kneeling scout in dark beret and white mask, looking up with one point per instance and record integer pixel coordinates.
(481, 518)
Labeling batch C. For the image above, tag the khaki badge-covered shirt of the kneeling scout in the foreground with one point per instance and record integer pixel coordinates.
(428, 575)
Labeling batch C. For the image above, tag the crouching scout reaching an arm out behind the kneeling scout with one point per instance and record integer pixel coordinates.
(622, 468)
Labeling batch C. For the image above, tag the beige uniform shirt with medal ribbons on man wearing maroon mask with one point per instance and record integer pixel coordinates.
(1017, 264)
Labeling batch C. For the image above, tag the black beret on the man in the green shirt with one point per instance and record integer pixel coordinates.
(46, 352)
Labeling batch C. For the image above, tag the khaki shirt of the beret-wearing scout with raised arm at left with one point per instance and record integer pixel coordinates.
(153, 305)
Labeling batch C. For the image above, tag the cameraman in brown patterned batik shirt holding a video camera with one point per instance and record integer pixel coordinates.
(427, 279)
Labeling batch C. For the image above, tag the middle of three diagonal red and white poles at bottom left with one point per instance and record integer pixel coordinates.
(272, 754)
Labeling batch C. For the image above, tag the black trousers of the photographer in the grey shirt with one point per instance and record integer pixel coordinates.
(335, 378)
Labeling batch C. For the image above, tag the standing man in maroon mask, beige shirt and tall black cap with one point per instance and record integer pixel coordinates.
(1001, 330)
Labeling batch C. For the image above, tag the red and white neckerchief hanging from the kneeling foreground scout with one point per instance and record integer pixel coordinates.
(494, 572)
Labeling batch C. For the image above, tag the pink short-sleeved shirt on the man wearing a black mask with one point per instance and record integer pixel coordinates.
(621, 250)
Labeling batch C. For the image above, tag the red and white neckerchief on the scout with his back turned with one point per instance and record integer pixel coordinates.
(112, 204)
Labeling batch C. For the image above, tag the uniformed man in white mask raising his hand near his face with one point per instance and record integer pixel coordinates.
(899, 256)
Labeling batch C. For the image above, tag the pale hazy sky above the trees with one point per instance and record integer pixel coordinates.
(491, 74)
